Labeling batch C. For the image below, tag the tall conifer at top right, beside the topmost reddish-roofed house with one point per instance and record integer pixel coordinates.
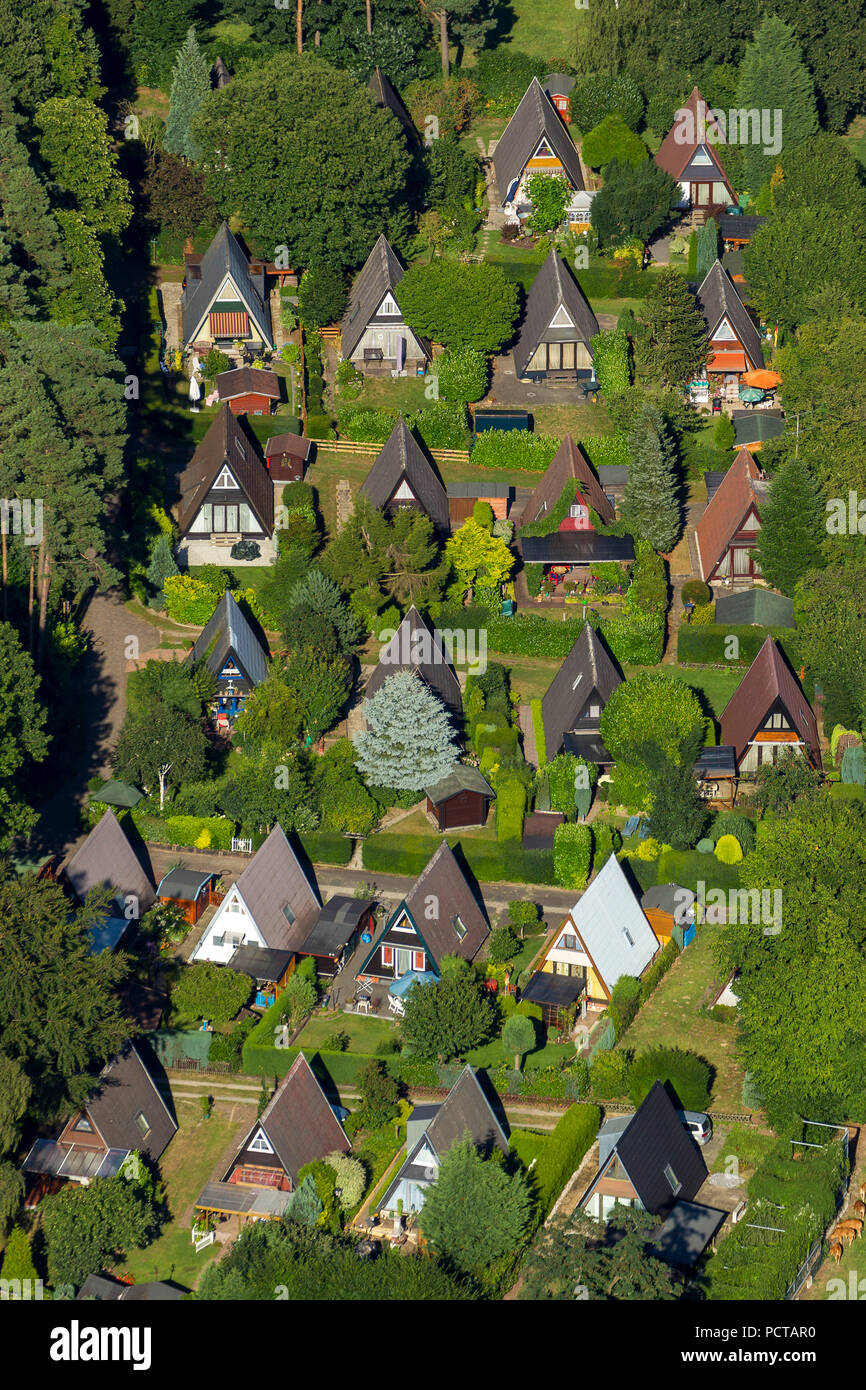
(774, 77)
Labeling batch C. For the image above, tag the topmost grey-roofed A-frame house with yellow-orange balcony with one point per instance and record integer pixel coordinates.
(536, 141)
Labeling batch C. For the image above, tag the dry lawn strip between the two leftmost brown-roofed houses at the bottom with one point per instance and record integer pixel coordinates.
(187, 1166)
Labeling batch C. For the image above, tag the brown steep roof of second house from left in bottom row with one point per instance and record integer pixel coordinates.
(300, 1121)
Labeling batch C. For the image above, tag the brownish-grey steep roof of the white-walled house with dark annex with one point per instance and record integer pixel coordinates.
(272, 882)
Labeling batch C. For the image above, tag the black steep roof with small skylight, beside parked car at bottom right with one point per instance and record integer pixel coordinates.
(655, 1139)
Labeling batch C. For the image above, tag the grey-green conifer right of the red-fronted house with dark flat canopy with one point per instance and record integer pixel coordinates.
(651, 502)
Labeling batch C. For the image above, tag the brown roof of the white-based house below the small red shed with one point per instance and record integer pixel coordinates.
(227, 444)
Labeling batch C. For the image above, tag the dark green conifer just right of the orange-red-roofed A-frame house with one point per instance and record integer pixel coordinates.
(793, 526)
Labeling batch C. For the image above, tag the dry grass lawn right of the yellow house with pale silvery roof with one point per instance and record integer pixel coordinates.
(672, 1017)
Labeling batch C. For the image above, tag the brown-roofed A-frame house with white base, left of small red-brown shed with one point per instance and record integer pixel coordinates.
(227, 496)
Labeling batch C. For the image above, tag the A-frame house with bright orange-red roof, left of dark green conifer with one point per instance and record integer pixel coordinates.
(729, 529)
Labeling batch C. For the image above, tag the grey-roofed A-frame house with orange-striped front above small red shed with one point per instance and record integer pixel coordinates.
(226, 298)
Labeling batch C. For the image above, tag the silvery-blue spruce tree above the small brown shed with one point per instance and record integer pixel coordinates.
(409, 743)
